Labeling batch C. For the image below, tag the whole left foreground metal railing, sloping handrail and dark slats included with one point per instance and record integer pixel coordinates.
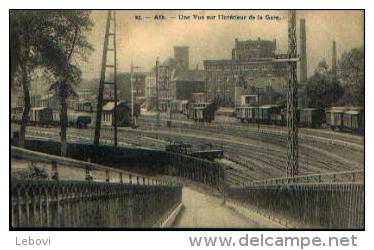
(95, 196)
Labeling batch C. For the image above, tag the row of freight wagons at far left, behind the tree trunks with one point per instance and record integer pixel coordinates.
(43, 116)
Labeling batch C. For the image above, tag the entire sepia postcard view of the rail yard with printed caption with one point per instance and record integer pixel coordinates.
(186, 119)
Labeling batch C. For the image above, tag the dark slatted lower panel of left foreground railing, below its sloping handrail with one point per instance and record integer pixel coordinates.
(75, 204)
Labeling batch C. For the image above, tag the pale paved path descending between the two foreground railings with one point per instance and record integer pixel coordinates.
(204, 210)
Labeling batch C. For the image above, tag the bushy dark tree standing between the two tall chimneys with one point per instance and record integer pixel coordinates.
(321, 90)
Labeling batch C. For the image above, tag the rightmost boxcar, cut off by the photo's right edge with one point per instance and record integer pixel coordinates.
(354, 120)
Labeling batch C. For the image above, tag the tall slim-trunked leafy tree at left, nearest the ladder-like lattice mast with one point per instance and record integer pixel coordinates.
(65, 42)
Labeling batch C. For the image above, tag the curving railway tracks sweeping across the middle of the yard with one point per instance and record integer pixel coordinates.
(248, 158)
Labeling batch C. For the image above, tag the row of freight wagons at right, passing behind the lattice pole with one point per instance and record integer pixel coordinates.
(335, 118)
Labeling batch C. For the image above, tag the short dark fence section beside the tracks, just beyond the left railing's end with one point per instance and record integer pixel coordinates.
(196, 169)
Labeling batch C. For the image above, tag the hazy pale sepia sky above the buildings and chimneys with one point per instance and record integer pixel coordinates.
(141, 41)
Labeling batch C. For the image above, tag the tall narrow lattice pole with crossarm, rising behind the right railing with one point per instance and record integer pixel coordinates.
(292, 147)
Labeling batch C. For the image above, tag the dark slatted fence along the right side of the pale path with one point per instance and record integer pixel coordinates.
(306, 205)
